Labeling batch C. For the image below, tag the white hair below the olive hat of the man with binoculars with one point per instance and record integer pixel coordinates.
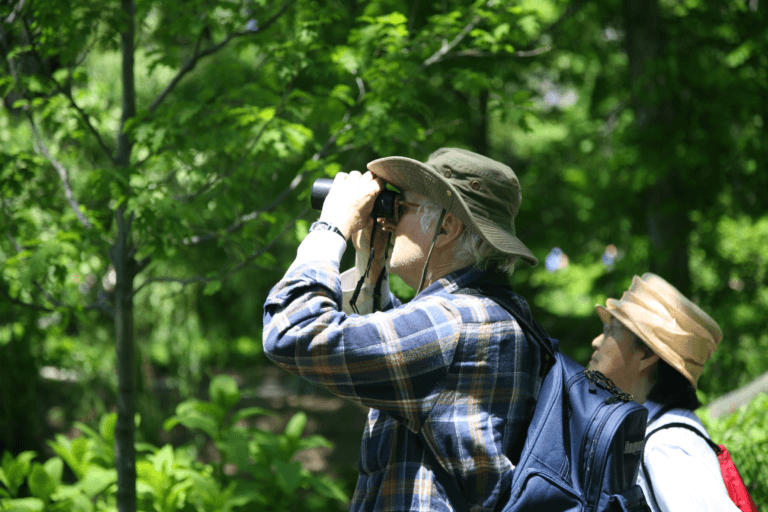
(470, 247)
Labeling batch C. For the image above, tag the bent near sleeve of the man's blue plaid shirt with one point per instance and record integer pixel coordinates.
(393, 361)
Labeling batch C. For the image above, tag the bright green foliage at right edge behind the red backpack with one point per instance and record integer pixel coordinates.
(745, 434)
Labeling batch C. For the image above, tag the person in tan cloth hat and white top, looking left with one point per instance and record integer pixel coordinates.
(654, 345)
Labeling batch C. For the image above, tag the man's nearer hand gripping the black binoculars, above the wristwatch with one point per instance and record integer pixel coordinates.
(350, 201)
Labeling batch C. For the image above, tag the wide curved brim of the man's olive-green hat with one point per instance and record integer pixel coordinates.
(409, 174)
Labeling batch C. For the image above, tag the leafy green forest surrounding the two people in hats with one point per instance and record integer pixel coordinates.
(156, 159)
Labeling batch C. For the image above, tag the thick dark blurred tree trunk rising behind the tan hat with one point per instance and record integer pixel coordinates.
(666, 219)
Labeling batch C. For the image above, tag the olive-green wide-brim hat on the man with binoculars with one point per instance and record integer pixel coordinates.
(482, 193)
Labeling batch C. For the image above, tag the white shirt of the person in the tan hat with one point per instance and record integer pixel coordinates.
(682, 467)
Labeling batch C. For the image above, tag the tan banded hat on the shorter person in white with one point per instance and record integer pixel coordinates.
(676, 329)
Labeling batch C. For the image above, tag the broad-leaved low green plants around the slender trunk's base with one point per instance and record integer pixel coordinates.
(253, 467)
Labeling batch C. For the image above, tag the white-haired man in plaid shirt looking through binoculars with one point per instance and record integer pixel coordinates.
(450, 378)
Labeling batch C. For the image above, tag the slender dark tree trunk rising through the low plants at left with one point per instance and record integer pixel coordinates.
(125, 268)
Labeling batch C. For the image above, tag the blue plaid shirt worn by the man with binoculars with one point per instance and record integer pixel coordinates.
(453, 372)
